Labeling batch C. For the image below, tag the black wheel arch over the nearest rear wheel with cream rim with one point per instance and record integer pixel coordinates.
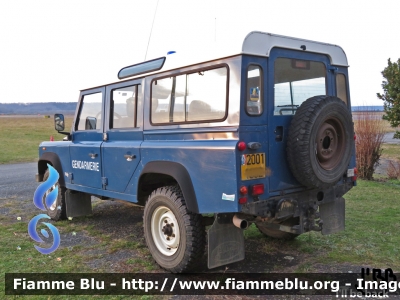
(170, 172)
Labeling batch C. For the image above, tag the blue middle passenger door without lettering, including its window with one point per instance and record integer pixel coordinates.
(124, 130)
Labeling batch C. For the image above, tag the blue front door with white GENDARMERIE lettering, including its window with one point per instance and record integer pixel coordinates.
(87, 139)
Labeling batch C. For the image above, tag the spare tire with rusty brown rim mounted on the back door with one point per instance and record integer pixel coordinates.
(319, 144)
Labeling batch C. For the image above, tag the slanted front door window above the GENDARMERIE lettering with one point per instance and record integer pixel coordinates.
(90, 112)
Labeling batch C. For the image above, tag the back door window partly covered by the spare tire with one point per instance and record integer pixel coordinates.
(296, 81)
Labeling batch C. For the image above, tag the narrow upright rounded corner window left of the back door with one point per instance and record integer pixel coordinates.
(254, 104)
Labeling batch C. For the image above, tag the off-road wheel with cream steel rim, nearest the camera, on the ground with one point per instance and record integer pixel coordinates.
(168, 203)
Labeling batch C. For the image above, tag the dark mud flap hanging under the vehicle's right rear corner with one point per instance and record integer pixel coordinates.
(332, 215)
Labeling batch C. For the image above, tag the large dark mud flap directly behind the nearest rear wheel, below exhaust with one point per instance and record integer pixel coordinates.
(225, 243)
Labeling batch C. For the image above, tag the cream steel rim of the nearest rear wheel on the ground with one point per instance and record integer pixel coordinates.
(165, 230)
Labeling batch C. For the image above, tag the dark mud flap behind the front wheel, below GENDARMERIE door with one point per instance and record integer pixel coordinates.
(78, 204)
